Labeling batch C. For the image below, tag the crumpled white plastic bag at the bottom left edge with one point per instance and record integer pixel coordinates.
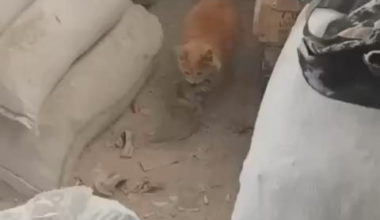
(75, 203)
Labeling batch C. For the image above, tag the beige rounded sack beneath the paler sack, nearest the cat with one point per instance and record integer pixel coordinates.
(92, 94)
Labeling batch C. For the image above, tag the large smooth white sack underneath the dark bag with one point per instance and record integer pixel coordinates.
(311, 158)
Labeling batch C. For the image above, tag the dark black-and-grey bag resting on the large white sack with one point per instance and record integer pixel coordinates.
(344, 64)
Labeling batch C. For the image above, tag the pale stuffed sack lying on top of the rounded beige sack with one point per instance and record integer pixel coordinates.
(38, 48)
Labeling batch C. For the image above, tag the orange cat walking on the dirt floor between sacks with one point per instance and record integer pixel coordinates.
(210, 33)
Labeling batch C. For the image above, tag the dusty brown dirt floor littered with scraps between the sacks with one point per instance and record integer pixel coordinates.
(197, 177)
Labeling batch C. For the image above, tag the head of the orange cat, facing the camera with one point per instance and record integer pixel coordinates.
(197, 61)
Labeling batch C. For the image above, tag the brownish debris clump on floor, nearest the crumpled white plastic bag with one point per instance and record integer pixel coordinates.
(106, 185)
